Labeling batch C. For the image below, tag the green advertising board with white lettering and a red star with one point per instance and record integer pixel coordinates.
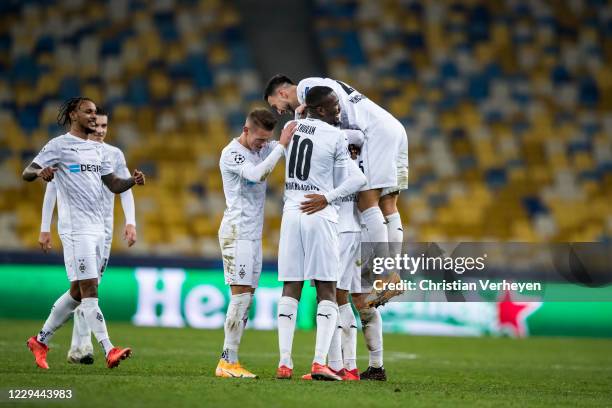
(176, 297)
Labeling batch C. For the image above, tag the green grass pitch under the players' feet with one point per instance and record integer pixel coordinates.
(175, 368)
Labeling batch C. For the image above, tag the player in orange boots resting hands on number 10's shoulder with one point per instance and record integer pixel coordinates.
(245, 164)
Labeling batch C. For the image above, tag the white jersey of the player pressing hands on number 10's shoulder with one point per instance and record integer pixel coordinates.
(244, 199)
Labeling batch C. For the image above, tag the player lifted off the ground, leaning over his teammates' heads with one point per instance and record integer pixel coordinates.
(384, 158)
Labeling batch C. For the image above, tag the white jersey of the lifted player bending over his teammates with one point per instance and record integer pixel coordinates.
(356, 110)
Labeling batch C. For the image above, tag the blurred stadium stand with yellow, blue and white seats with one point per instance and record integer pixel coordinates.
(507, 106)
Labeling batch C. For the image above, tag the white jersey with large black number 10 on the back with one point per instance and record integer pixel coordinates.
(310, 158)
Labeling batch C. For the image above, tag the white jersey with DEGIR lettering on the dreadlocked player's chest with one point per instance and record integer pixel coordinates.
(80, 191)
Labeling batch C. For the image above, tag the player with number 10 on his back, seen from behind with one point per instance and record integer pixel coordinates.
(318, 171)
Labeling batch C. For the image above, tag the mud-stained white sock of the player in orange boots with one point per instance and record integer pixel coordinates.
(234, 325)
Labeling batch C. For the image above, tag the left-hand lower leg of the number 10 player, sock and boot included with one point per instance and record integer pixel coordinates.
(287, 317)
